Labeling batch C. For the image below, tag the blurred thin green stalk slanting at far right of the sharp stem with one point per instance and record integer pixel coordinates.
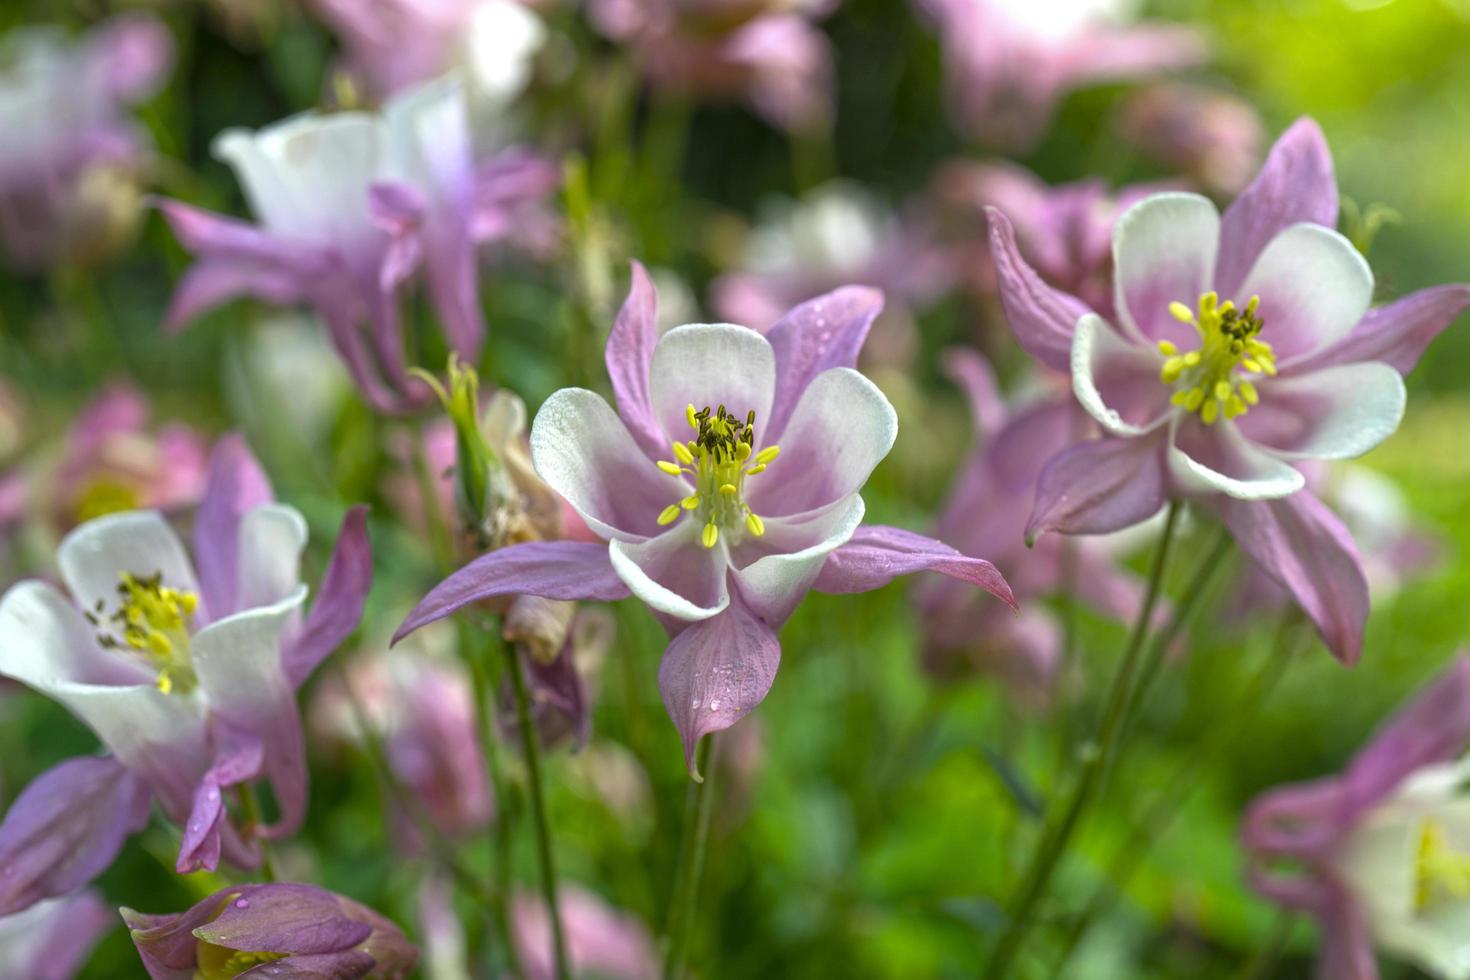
(1169, 804)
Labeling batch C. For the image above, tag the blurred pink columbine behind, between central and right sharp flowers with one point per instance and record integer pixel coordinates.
(992, 499)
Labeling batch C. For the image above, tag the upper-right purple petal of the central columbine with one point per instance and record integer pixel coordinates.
(820, 334)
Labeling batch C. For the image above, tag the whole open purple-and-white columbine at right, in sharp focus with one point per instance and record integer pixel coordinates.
(1243, 346)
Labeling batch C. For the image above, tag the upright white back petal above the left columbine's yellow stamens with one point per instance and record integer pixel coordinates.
(95, 556)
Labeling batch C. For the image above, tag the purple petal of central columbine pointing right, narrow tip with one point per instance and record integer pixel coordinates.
(875, 556)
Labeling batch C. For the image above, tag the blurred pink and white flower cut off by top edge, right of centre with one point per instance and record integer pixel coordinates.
(1009, 62)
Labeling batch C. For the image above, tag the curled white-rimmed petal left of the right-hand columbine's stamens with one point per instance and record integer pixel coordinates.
(1114, 375)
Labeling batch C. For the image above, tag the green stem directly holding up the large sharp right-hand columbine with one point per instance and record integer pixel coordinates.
(1096, 759)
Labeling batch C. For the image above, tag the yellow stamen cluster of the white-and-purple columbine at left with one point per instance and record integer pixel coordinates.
(151, 621)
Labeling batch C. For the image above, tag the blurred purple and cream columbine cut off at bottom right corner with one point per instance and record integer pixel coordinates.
(1383, 851)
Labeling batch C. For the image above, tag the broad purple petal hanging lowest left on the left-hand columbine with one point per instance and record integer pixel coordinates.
(67, 828)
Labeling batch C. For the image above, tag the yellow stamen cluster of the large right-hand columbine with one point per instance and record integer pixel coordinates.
(1209, 381)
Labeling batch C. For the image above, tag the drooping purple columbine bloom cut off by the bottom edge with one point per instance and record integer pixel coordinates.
(273, 931)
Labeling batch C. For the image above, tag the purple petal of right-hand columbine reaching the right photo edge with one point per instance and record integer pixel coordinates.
(1396, 334)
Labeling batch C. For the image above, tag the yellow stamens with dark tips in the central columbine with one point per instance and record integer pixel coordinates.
(718, 459)
